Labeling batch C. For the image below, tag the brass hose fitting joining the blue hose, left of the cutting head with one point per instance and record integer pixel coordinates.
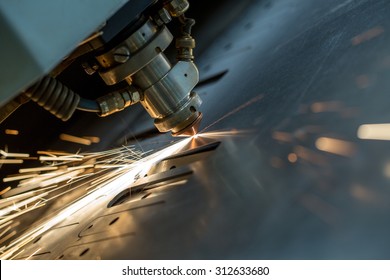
(117, 101)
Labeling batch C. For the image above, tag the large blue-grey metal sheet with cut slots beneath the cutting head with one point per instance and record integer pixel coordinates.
(298, 77)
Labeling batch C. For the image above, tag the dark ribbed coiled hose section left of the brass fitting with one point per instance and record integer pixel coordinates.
(55, 97)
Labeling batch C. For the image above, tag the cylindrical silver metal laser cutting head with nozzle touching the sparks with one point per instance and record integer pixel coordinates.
(167, 90)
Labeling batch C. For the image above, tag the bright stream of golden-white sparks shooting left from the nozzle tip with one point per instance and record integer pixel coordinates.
(125, 163)
